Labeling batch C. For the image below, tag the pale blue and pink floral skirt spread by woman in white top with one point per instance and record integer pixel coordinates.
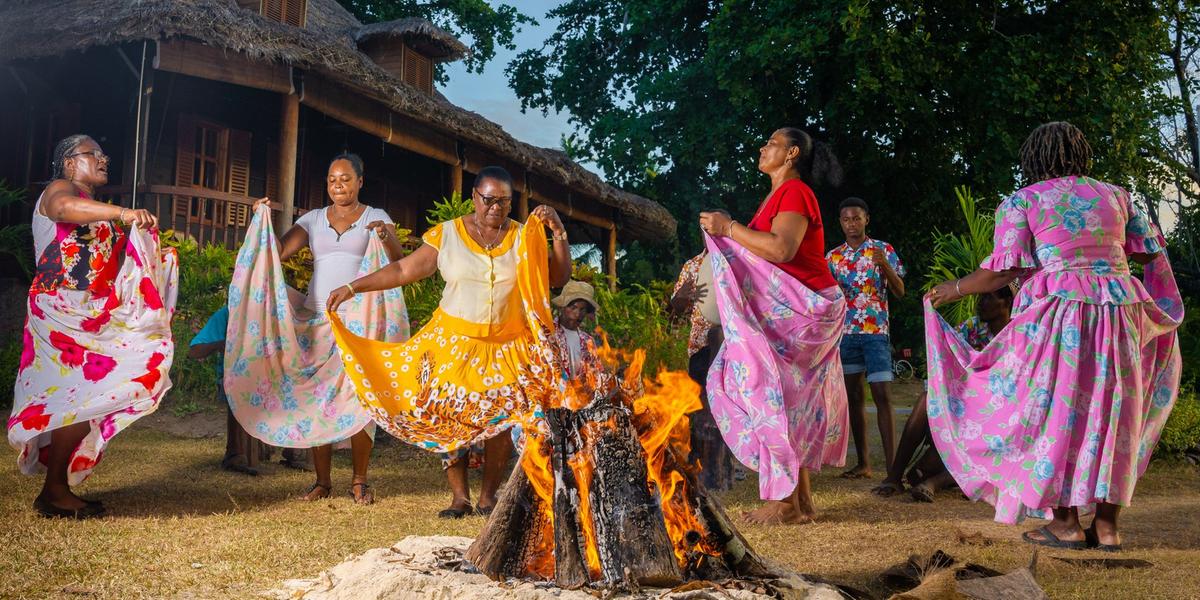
(284, 376)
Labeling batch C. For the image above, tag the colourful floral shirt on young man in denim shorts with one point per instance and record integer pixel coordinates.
(865, 285)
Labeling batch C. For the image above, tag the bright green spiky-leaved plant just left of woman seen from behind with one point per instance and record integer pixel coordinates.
(958, 255)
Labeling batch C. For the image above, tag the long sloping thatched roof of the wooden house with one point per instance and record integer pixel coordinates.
(38, 29)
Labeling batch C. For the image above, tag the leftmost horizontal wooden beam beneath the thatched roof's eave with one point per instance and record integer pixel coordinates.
(221, 65)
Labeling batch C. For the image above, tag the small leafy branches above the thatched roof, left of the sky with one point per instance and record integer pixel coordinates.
(483, 26)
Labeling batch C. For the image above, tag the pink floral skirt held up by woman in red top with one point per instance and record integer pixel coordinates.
(776, 387)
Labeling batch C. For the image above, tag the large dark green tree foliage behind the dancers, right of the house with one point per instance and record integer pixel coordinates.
(916, 98)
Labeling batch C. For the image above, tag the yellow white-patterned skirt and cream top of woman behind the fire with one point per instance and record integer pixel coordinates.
(482, 363)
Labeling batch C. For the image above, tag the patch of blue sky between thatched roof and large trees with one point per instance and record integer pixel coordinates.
(489, 93)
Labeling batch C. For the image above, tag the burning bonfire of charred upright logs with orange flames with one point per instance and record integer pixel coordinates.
(605, 495)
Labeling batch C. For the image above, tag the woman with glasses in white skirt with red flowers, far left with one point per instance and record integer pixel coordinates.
(98, 339)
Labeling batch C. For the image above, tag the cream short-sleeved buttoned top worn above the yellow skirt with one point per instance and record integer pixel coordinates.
(482, 286)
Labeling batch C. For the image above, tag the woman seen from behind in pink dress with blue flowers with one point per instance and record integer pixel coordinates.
(1063, 410)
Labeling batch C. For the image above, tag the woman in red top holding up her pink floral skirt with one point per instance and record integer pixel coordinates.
(771, 428)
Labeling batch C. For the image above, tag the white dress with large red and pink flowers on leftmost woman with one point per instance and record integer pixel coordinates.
(98, 344)
